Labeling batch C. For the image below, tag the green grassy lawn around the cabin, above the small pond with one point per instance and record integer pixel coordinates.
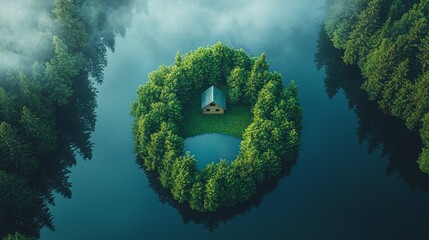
(235, 120)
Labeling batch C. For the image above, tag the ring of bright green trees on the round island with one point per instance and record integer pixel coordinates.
(272, 137)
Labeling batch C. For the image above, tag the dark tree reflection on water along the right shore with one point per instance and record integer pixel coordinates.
(375, 128)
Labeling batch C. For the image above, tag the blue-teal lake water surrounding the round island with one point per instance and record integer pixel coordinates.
(355, 177)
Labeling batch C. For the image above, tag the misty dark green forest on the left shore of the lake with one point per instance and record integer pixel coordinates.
(47, 105)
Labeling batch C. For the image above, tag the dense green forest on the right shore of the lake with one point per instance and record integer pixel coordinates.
(389, 41)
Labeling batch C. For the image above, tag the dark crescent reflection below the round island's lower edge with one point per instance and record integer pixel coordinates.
(211, 221)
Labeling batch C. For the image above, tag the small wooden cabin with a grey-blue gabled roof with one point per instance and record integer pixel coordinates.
(213, 101)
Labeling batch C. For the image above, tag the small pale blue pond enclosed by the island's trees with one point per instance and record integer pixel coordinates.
(212, 147)
